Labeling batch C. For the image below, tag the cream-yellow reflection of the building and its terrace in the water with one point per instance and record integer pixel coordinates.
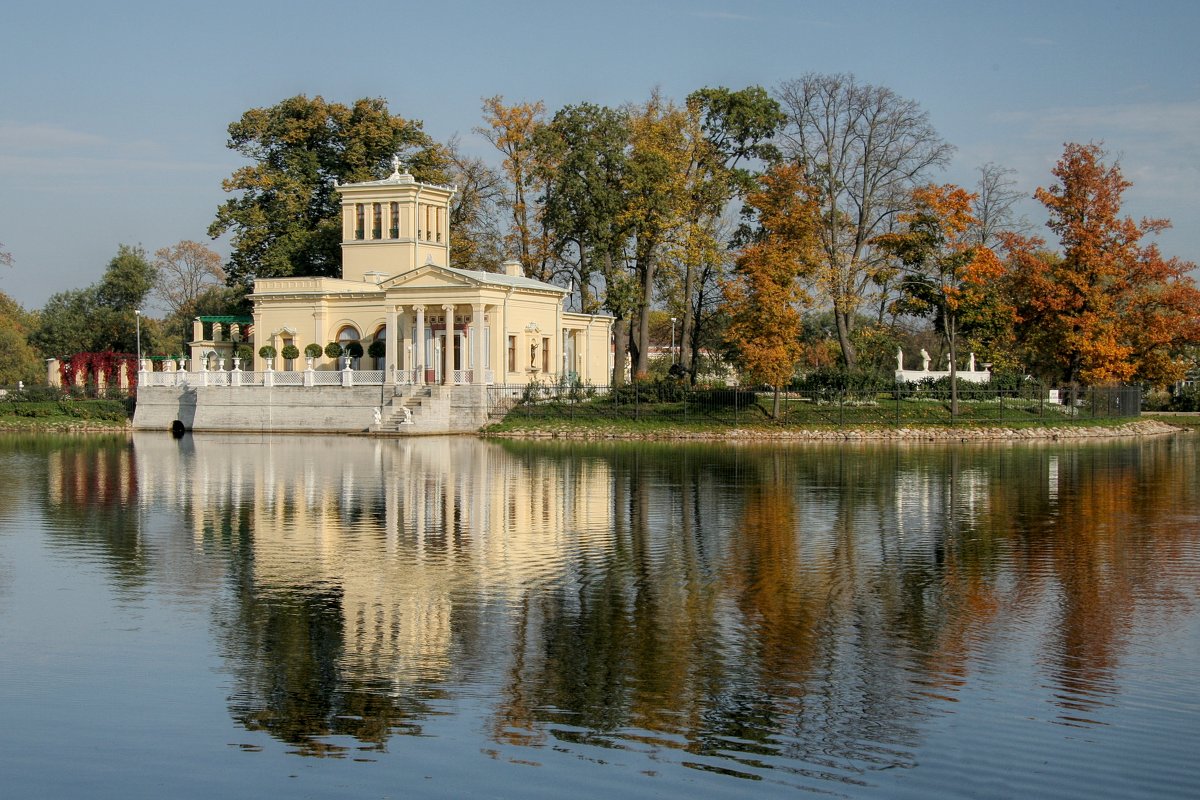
(401, 530)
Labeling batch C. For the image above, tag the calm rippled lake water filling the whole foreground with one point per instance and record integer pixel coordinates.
(347, 618)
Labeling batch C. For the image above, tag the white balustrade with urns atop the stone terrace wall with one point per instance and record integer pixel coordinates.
(347, 377)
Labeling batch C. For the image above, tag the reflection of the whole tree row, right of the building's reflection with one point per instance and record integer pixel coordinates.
(855, 585)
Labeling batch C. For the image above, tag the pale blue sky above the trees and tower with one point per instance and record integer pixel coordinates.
(113, 116)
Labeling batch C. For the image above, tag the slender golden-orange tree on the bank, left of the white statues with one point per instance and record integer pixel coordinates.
(765, 294)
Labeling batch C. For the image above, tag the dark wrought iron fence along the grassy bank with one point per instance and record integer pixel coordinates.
(903, 405)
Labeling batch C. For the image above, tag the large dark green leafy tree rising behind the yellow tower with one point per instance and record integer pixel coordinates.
(286, 218)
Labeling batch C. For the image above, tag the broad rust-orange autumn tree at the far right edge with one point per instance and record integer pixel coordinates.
(1108, 309)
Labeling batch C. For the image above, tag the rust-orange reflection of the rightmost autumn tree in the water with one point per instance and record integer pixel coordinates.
(1108, 538)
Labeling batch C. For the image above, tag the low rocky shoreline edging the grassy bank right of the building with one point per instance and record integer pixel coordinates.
(1139, 429)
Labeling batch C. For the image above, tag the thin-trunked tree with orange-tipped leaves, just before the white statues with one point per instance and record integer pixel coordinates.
(946, 270)
